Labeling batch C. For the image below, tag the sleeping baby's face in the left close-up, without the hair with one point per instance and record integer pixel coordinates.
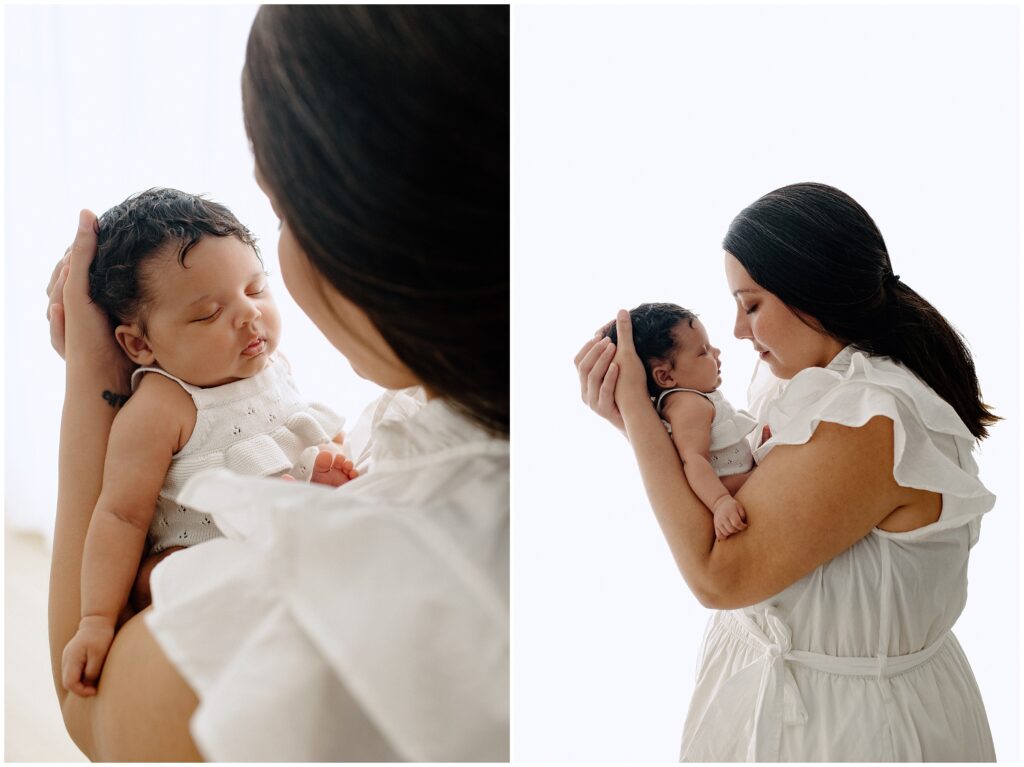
(212, 322)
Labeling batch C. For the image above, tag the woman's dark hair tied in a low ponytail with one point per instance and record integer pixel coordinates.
(821, 253)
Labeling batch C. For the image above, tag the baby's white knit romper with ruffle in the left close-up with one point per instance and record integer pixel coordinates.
(259, 427)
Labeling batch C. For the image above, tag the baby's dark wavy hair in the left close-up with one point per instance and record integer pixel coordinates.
(143, 227)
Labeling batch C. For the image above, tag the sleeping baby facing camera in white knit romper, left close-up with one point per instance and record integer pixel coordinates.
(187, 293)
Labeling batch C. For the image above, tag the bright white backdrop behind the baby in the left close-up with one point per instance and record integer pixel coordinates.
(102, 103)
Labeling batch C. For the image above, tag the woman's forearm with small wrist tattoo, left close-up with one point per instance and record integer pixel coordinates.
(86, 427)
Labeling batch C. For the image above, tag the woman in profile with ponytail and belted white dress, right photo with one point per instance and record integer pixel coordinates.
(832, 641)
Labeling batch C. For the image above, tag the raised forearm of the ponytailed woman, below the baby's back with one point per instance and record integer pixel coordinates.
(686, 522)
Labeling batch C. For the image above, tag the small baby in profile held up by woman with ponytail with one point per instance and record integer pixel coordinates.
(709, 434)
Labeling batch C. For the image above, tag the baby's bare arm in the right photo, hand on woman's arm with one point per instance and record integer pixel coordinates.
(692, 416)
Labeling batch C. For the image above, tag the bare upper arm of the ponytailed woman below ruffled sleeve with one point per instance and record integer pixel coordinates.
(805, 505)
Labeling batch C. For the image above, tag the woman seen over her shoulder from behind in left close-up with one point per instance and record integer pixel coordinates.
(370, 624)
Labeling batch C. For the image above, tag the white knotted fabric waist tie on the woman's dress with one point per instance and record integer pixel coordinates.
(779, 701)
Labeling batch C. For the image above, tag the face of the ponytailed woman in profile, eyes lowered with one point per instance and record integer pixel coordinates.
(783, 339)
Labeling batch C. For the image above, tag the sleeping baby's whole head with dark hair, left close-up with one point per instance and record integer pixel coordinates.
(185, 287)
